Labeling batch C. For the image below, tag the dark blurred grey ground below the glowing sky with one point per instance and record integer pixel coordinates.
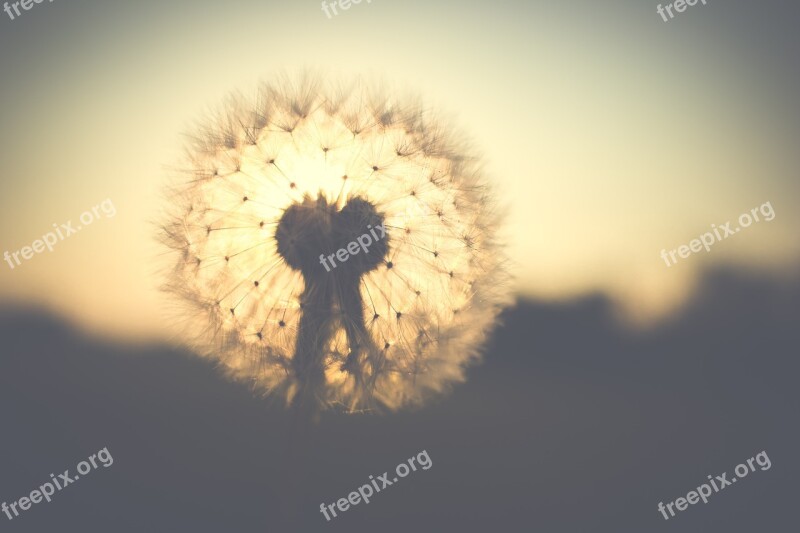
(572, 424)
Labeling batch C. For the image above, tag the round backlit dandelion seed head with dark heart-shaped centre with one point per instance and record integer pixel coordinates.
(298, 173)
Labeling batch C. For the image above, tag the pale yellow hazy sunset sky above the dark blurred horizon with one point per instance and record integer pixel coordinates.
(609, 133)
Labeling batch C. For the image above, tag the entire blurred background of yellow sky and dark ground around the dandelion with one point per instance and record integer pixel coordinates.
(615, 383)
